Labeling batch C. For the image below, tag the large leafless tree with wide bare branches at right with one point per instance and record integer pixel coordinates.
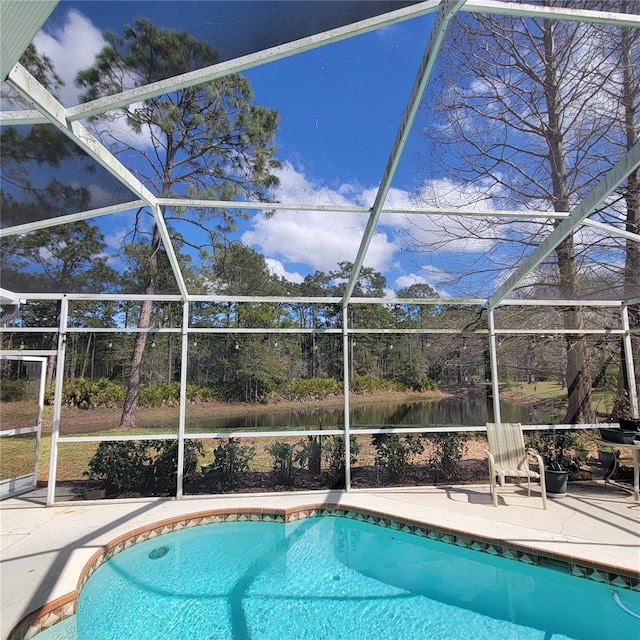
(525, 115)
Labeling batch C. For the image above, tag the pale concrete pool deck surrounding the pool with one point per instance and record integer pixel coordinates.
(43, 550)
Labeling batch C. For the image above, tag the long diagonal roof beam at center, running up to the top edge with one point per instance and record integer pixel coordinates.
(448, 9)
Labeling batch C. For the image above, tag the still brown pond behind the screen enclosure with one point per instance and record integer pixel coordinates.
(471, 411)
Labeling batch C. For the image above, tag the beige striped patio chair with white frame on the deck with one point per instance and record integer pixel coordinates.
(508, 457)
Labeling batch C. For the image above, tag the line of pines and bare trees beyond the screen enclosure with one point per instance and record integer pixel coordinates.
(531, 112)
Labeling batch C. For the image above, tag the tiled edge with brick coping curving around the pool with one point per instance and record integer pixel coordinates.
(61, 608)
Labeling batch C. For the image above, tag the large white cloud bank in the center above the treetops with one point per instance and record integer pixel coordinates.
(321, 240)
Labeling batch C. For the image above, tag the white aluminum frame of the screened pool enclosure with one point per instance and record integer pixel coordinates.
(49, 110)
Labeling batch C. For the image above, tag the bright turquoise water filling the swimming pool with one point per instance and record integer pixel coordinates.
(333, 579)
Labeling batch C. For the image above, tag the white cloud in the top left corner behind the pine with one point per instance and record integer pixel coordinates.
(72, 47)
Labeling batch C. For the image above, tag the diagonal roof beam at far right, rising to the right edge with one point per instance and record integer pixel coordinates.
(609, 182)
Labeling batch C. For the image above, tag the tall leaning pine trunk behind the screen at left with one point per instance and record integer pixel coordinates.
(128, 417)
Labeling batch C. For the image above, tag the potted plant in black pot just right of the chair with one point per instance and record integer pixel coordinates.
(555, 449)
